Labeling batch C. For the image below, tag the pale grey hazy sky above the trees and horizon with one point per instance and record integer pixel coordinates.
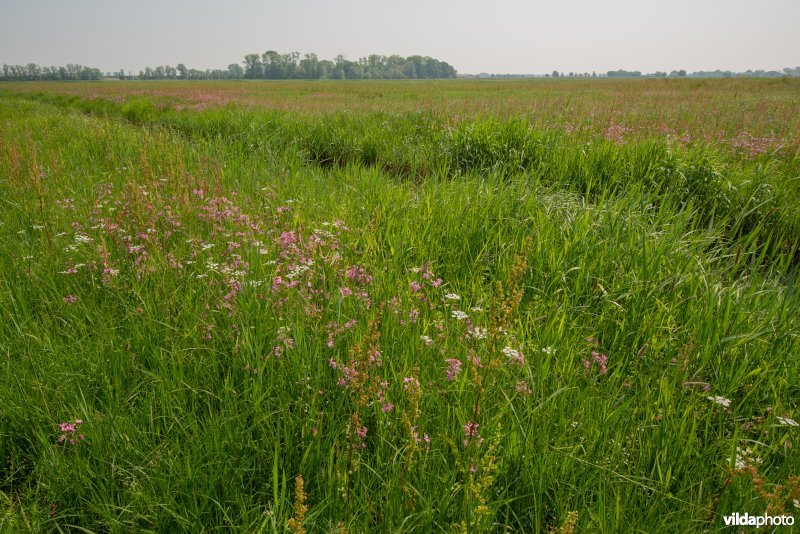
(474, 36)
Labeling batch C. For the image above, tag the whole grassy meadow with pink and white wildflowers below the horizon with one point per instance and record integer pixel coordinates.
(501, 306)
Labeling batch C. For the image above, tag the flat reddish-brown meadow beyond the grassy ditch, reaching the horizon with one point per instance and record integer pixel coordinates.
(709, 110)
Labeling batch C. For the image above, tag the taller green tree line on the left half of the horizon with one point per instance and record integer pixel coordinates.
(270, 65)
